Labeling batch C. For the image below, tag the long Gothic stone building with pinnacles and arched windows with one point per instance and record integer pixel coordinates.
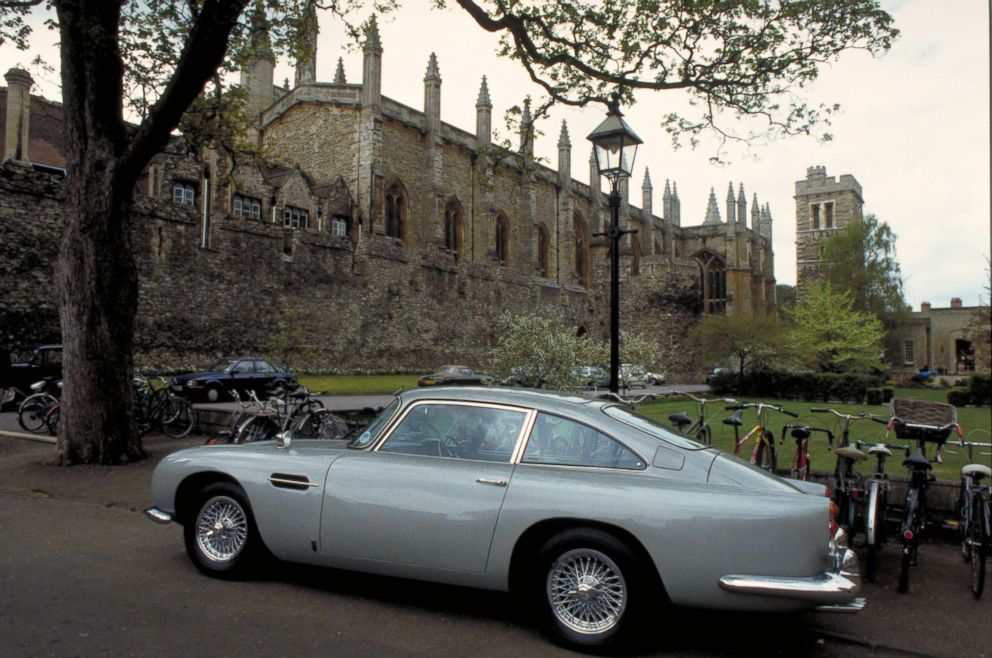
(378, 237)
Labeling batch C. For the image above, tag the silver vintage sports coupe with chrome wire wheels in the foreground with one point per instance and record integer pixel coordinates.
(595, 513)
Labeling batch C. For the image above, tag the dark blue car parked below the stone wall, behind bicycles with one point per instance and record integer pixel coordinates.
(240, 374)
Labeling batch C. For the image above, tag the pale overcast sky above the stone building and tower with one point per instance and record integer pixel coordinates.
(914, 131)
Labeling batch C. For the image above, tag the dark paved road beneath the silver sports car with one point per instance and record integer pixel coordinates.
(83, 573)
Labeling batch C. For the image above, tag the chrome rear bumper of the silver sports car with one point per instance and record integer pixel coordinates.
(831, 591)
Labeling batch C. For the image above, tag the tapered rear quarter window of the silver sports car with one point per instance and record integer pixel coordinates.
(557, 440)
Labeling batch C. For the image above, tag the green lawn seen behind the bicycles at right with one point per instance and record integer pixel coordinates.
(822, 459)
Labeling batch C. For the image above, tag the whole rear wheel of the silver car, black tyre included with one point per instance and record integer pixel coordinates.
(607, 609)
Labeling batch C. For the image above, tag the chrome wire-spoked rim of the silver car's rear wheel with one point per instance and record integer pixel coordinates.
(586, 591)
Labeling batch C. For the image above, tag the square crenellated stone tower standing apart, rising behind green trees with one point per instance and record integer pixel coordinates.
(824, 206)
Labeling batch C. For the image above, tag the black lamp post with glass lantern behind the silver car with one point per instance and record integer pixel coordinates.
(615, 147)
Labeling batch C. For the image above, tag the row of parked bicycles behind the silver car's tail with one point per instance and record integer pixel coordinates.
(862, 500)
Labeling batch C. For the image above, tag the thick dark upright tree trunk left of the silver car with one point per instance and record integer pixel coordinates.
(95, 273)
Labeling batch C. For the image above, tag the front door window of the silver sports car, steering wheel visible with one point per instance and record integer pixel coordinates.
(457, 431)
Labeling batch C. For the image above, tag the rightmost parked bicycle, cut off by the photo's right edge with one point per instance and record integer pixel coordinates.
(973, 503)
